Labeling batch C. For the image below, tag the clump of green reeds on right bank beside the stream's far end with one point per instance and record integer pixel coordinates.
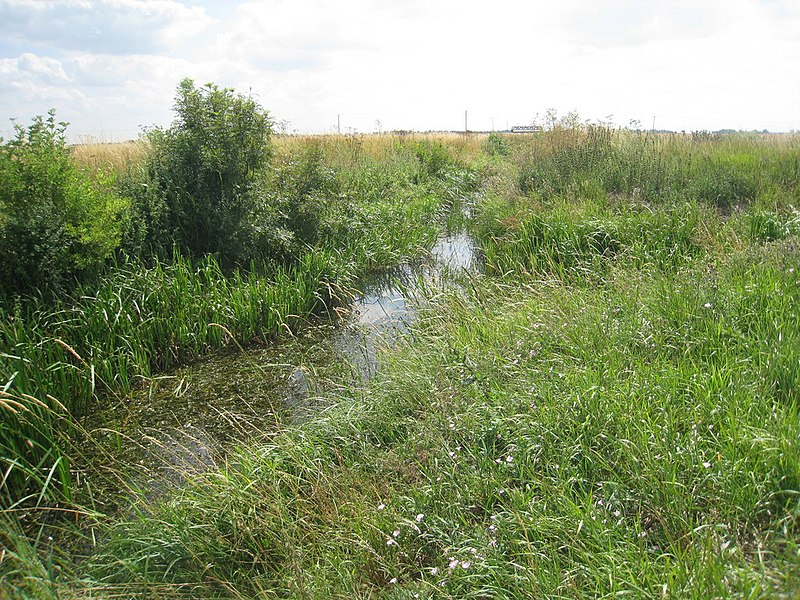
(582, 241)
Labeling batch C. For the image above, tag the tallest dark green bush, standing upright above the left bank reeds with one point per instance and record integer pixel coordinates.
(202, 181)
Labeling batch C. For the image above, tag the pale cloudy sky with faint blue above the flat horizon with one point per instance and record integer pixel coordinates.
(110, 67)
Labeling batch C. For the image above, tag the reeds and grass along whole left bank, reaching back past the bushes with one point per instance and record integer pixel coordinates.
(59, 357)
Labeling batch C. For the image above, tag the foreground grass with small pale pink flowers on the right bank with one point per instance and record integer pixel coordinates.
(532, 442)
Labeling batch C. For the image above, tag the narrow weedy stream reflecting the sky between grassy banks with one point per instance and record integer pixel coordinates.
(183, 421)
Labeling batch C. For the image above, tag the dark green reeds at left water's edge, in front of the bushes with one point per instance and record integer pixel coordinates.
(59, 359)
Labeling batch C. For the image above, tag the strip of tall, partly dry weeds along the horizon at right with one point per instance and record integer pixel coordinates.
(721, 171)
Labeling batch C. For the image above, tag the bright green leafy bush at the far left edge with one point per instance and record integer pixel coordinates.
(56, 223)
